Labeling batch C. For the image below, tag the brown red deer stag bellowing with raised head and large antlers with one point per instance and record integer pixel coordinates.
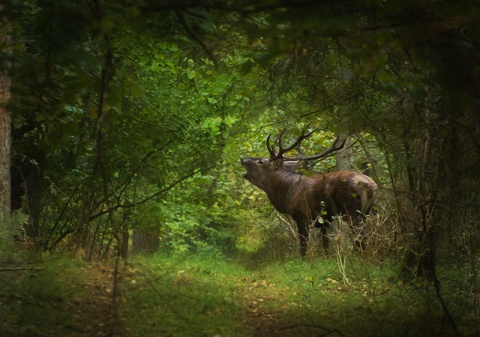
(307, 198)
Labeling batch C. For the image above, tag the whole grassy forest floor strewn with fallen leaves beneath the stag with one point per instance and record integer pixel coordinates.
(207, 295)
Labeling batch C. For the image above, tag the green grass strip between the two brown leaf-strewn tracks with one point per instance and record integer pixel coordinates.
(178, 296)
